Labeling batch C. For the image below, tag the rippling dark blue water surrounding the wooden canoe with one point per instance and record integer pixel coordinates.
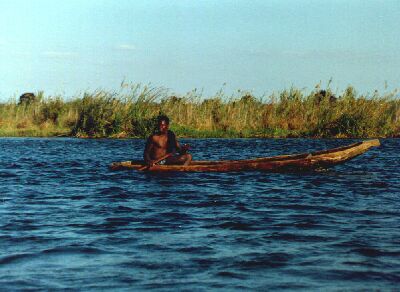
(66, 221)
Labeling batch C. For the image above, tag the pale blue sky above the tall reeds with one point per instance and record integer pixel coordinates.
(68, 47)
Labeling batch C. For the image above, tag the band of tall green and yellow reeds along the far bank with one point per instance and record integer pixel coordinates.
(132, 112)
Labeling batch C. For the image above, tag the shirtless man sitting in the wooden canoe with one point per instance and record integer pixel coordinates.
(164, 142)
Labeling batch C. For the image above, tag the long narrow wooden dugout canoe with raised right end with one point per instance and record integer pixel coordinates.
(296, 162)
